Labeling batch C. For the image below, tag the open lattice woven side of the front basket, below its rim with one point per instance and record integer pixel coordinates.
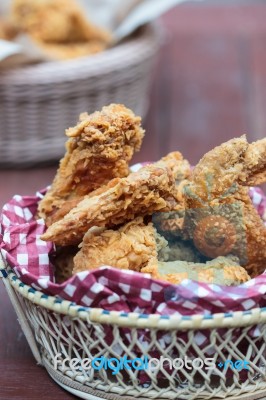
(76, 338)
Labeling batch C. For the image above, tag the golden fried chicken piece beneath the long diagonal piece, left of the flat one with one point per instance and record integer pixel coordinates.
(133, 246)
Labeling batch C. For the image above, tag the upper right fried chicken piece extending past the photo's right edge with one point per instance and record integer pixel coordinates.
(233, 162)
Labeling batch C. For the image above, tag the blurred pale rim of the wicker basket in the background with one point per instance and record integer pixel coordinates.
(122, 56)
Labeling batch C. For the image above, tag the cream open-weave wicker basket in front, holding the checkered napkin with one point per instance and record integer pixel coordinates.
(53, 326)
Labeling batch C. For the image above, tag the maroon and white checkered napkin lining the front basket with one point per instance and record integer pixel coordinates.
(110, 288)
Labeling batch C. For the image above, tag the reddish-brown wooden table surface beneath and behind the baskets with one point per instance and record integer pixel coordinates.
(209, 86)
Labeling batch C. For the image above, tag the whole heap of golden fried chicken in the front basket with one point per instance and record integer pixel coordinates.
(210, 207)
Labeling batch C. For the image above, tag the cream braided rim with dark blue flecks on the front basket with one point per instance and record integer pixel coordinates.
(132, 319)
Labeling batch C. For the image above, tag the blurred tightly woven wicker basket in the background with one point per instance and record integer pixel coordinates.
(38, 102)
